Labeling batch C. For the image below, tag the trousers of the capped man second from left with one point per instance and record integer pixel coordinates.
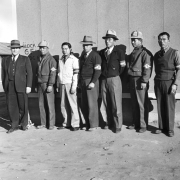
(46, 106)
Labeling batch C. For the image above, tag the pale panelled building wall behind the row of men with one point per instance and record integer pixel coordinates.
(69, 20)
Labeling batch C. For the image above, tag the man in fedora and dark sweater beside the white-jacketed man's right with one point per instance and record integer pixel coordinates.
(90, 70)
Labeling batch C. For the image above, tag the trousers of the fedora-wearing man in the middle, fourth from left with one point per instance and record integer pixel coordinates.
(89, 103)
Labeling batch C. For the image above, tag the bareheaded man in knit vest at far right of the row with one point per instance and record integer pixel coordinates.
(167, 73)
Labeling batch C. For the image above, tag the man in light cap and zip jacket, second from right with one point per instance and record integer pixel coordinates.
(139, 68)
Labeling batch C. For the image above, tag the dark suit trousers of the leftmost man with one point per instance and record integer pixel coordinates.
(17, 106)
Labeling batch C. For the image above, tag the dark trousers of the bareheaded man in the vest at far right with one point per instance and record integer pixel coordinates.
(165, 104)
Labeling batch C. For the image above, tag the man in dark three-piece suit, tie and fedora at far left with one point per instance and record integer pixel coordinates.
(17, 81)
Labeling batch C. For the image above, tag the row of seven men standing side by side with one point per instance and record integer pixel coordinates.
(88, 72)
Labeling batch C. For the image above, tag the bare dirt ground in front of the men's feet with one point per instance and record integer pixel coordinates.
(81, 155)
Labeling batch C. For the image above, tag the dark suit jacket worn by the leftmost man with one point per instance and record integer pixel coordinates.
(23, 73)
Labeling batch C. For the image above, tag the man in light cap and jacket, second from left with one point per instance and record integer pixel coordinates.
(46, 74)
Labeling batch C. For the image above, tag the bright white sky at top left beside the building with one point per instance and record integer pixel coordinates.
(8, 21)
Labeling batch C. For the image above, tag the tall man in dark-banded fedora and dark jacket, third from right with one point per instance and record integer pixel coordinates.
(113, 63)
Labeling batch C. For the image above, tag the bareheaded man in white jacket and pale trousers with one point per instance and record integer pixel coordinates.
(66, 84)
